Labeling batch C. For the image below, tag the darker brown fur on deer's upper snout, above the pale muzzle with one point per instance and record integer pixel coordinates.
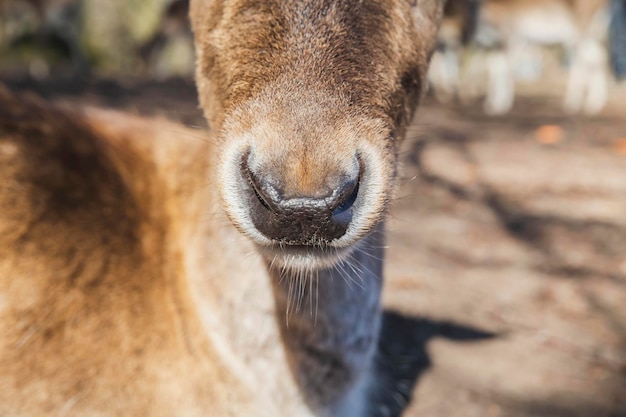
(244, 45)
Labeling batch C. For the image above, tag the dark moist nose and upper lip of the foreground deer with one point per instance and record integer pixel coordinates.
(301, 219)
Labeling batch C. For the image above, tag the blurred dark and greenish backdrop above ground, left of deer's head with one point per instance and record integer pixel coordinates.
(47, 38)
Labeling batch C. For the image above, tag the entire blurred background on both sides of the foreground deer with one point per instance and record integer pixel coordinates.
(506, 273)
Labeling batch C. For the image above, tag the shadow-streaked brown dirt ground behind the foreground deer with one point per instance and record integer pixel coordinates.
(506, 276)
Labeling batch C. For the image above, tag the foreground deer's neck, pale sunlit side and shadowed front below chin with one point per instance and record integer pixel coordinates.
(309, 336)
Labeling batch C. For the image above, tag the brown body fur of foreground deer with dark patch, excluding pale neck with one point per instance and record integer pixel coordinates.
(92, 310)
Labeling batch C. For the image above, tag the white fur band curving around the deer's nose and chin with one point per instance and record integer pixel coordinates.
(308, 252)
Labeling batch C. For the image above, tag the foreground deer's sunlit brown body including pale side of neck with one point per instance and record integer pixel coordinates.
(118, 311)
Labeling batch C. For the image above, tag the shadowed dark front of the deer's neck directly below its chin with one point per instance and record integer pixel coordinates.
(329, 322)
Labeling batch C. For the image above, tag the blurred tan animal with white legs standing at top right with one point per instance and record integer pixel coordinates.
(508, 29)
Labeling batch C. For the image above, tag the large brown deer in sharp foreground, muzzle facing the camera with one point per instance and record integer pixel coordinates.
(152, 269)
